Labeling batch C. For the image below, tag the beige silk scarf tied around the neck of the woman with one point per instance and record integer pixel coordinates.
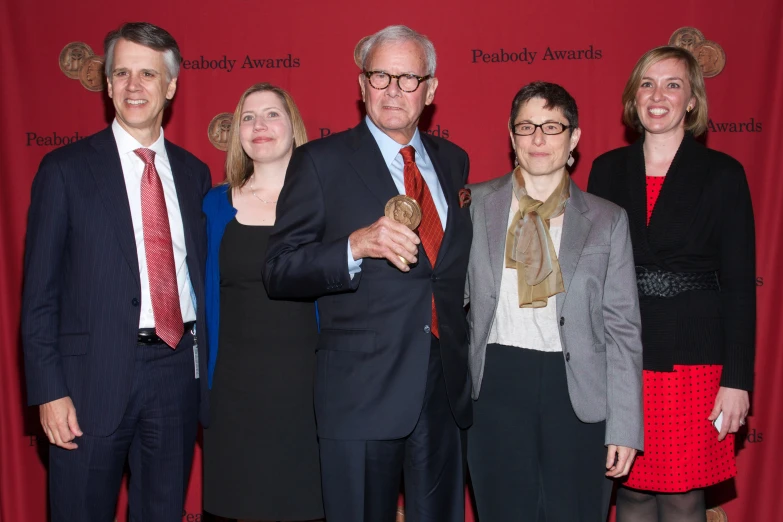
(529, 247)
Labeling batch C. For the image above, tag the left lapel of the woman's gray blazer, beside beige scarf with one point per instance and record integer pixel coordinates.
(496, 206)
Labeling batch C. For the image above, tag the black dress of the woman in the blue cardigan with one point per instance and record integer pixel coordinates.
(261, 450)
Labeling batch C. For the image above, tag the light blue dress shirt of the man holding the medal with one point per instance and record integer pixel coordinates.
(390, 150)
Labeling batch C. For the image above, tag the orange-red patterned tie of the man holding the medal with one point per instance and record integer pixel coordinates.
(430, 229)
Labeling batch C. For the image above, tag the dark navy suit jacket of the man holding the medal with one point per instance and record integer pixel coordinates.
(374, 342)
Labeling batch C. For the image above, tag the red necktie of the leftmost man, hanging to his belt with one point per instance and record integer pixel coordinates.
(159, 254)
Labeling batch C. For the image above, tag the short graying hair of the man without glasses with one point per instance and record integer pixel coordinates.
(148, 35)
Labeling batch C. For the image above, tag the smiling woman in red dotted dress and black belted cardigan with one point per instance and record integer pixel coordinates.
(692, 230)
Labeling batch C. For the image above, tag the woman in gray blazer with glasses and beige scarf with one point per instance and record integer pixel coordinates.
(555, 341)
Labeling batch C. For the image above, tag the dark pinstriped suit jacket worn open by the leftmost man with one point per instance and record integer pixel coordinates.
(80, 305)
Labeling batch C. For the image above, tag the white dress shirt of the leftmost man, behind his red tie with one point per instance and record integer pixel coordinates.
(132, 170)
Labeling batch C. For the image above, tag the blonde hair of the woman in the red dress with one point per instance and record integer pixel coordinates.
(696, 120)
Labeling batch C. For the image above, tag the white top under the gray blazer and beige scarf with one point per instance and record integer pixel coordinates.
(533, 328)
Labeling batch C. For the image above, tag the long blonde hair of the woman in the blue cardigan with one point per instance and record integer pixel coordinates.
(239, 166)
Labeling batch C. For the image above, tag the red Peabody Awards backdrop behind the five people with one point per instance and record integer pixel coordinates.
(311, 46)
